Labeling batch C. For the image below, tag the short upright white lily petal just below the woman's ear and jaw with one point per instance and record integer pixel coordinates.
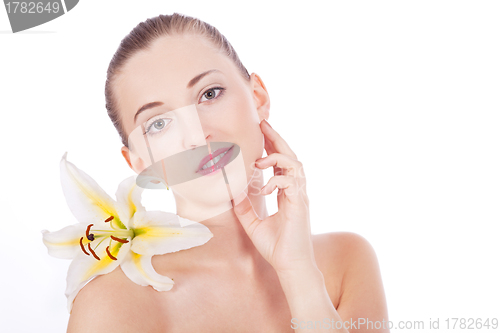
(128, 196)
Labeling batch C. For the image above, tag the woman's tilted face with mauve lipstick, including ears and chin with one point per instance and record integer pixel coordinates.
(197, 102)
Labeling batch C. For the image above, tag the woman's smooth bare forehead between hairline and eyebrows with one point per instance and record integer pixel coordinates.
(164, 71)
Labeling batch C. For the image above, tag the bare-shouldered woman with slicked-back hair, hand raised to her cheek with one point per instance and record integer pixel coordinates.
(178, 85)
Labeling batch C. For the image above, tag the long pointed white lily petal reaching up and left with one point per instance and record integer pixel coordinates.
(86, 199)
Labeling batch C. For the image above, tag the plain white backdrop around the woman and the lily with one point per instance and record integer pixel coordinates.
(392, 106)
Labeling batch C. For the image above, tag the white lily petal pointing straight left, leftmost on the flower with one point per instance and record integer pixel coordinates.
(65, 243)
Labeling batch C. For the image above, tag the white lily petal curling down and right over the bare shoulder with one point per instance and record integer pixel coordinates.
(139, 269)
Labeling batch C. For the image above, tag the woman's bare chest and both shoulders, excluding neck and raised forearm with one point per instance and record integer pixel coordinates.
(229, 299)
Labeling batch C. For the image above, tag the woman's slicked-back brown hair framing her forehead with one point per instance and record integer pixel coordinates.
(143, 35)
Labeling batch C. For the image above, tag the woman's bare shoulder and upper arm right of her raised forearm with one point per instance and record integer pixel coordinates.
(350, 258)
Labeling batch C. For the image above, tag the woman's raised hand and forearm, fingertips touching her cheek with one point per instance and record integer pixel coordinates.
(284, 239)
